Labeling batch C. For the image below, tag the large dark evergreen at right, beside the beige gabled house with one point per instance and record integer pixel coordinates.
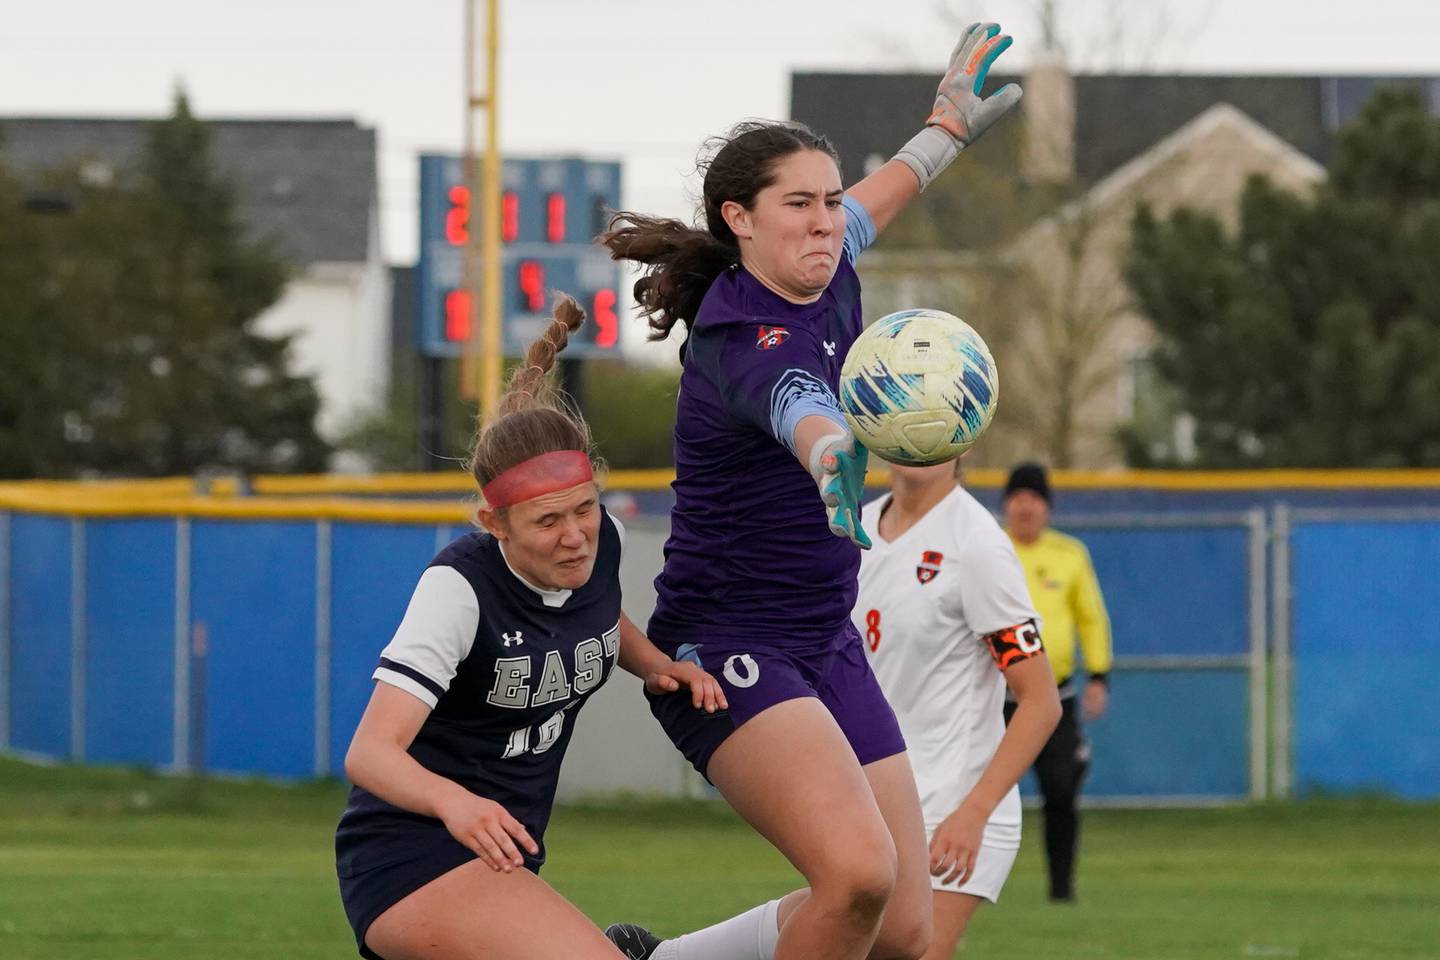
(1311, 338)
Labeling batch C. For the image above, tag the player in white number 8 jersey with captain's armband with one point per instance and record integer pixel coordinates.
(942, 605)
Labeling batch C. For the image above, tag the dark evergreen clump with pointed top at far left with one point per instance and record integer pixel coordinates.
(127, 327)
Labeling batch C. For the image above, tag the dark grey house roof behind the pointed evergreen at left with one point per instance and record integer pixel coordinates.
(309, 184)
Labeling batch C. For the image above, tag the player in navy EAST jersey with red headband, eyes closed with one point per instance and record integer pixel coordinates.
(457, 756)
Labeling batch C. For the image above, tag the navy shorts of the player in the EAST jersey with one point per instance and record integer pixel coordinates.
(384, 861)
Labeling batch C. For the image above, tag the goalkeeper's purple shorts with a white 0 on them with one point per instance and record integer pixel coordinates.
(758, 676)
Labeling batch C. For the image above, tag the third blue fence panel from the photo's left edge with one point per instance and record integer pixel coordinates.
(254, 604)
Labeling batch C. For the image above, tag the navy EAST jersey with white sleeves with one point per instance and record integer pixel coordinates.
(506, 669)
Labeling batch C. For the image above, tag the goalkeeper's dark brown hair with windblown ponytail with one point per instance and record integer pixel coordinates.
(685, 261)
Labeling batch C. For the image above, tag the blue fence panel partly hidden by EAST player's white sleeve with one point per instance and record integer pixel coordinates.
(374, 572)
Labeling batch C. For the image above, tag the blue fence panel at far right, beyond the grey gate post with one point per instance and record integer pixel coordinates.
(1366, 615)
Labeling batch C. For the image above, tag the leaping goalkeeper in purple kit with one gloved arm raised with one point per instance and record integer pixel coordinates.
(760, 576)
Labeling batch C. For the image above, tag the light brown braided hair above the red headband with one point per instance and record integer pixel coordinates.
(534, 417)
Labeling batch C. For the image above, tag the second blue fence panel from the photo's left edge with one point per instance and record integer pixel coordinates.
(130, 677)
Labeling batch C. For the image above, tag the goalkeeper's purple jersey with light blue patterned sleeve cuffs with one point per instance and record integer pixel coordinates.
(751, 553)
